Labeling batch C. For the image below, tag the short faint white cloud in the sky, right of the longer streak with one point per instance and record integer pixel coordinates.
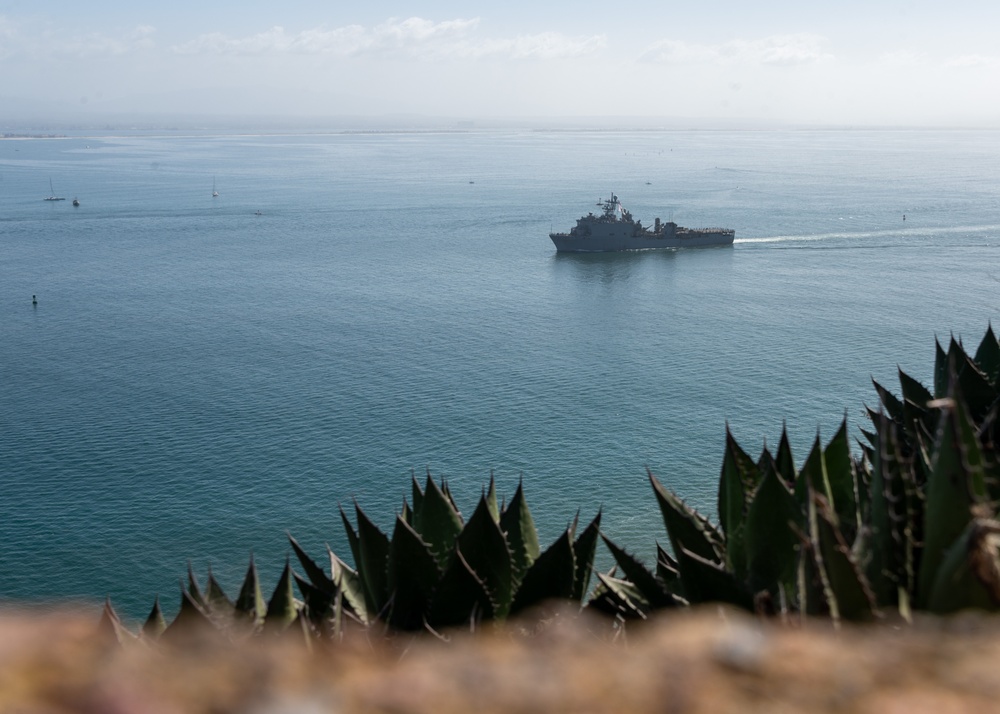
(776, 50)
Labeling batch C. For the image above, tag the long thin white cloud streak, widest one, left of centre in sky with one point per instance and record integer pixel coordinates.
(413, 37)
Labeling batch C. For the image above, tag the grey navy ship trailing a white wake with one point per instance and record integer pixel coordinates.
(615, 230)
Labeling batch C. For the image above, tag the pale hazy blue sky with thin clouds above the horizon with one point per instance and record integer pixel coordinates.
(920, 62)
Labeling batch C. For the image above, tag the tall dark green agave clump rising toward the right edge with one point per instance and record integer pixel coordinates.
(909, 524)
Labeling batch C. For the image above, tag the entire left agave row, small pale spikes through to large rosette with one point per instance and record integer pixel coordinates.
(435, 571)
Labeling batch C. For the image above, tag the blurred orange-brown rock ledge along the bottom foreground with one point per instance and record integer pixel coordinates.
(704, 660)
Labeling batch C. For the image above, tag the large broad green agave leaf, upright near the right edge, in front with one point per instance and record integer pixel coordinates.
(955, 485)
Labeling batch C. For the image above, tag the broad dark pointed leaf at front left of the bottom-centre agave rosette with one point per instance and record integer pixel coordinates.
(413, 575)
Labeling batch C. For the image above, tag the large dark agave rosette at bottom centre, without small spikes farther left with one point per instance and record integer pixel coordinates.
(438, 570)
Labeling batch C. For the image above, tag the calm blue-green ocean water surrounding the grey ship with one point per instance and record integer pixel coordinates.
(198, 379)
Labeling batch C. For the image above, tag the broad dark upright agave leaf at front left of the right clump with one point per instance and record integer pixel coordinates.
(773, 523)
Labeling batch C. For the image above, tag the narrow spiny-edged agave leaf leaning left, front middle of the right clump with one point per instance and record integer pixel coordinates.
(849, 590)
